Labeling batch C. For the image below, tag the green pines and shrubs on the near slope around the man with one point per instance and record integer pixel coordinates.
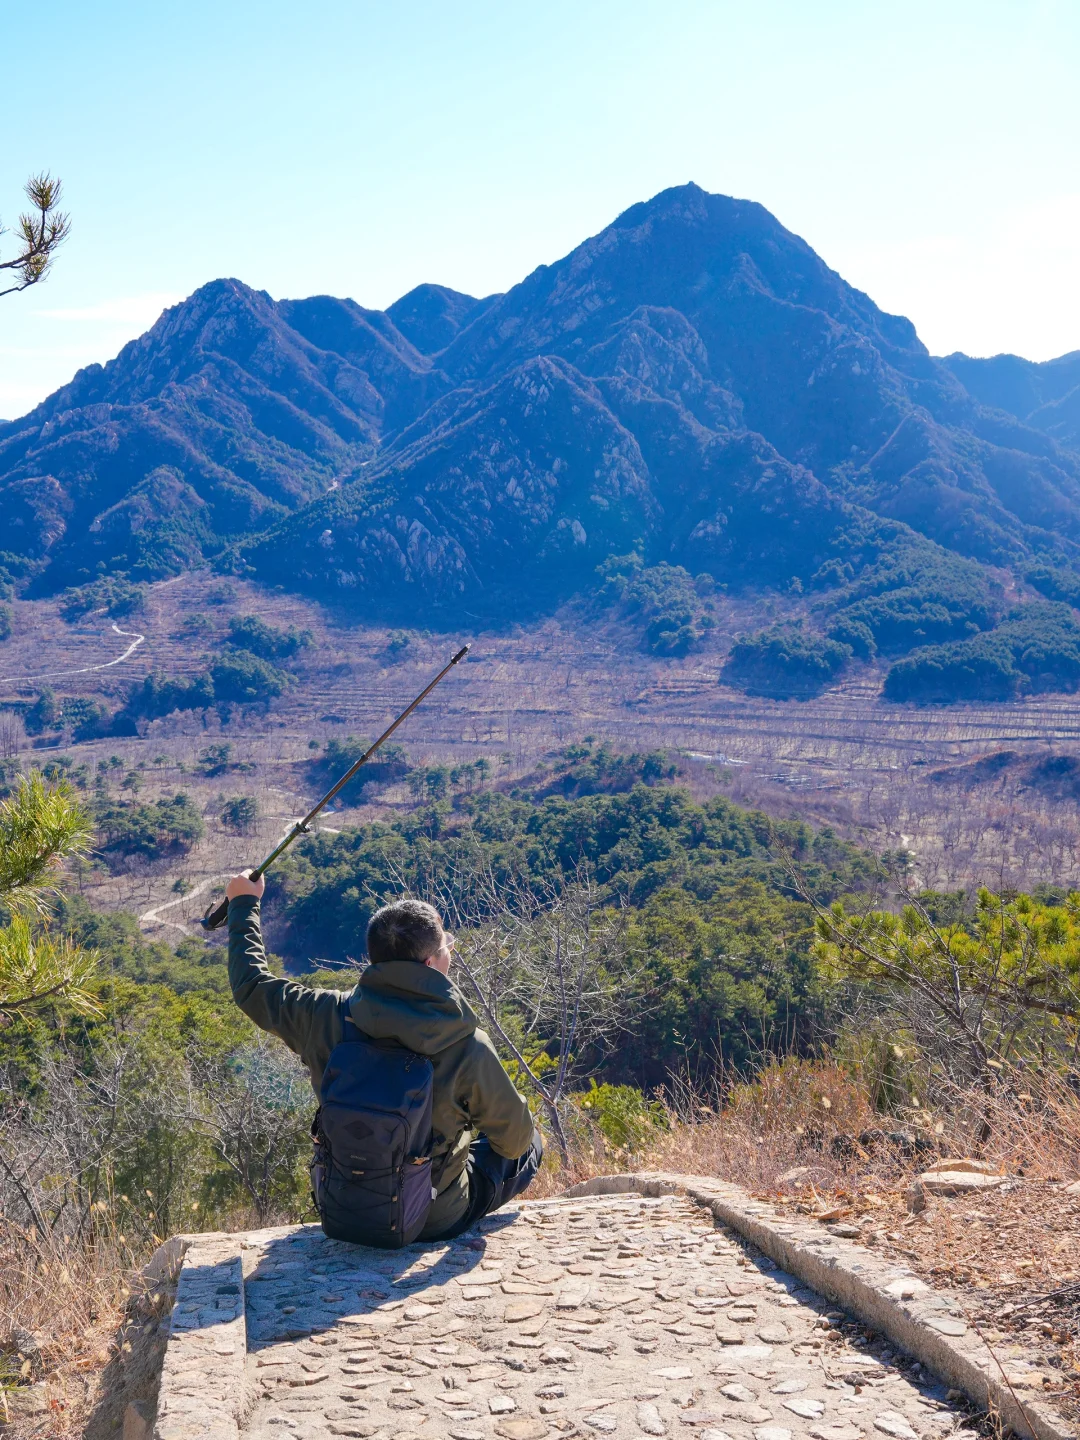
(739, 942)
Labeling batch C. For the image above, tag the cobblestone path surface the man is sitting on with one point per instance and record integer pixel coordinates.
(603, 1317)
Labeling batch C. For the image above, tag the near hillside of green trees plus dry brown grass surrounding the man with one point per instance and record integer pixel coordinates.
(748, 1006)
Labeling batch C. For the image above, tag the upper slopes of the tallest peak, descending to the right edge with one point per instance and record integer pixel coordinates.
(817, 369)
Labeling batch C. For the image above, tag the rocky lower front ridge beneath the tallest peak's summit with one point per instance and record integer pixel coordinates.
(513, 498)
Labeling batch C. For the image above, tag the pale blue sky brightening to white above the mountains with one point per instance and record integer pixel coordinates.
(930, 152)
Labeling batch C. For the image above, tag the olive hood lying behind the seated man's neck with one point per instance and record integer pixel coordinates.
(413, 1004)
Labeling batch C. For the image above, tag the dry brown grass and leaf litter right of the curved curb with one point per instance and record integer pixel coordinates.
(1010, 1255)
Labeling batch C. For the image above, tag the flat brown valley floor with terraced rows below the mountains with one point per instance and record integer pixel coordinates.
(846, 758)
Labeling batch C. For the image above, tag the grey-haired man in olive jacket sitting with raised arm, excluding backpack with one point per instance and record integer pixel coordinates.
(485, 1146)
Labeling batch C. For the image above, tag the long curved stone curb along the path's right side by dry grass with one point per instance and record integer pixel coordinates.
(925, 1323)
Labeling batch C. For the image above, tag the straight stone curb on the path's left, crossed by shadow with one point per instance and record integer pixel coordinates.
(204, 1392)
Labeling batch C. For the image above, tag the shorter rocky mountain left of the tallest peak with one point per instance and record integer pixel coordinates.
(246, 414)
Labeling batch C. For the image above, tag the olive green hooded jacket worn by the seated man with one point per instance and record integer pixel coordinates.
(420, 1009)
